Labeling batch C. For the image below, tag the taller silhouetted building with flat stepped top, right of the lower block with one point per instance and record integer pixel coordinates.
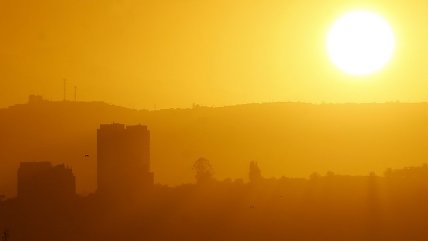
(123, 163)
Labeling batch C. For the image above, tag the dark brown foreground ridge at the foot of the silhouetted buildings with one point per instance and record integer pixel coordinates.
(330, 207)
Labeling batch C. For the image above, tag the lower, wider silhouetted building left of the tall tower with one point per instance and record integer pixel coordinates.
(41, 181)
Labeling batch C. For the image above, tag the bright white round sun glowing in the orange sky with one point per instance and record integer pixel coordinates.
(360, 43)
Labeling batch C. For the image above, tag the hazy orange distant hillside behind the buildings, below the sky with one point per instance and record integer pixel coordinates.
(291, 139)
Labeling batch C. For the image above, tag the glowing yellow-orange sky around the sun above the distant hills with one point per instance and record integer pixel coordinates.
(172, 53)
